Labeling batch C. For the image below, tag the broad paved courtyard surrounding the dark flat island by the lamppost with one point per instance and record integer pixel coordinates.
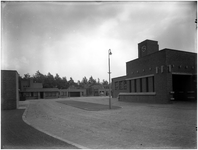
(134, 125)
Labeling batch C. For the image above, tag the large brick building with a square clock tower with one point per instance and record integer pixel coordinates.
(158, 76)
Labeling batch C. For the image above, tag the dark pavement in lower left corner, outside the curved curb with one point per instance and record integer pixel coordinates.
(16, 134)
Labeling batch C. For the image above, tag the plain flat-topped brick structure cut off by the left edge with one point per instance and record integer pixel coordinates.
(9, 89)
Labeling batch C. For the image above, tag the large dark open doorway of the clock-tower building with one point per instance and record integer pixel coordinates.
(184, 87)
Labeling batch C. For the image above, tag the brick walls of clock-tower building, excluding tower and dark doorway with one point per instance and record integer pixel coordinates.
(159, 65)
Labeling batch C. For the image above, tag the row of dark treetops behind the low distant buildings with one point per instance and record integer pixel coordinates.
(50, 81)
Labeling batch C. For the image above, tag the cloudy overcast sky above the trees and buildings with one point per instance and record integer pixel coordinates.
(73, 38)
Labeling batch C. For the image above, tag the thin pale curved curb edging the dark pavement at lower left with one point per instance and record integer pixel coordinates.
(54, 136)
